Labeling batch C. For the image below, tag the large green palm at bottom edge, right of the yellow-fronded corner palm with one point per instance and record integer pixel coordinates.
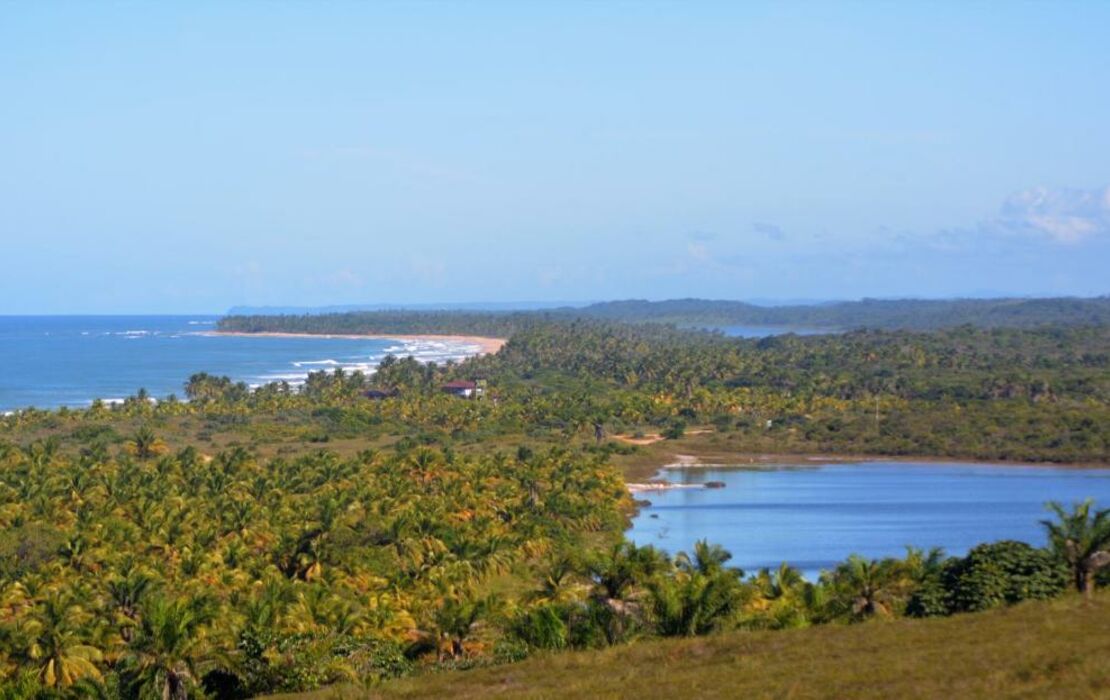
(171, 647)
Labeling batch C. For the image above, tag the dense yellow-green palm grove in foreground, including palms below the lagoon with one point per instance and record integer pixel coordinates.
(184, 575)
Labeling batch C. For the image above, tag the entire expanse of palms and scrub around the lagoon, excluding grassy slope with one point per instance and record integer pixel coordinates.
(211, 546)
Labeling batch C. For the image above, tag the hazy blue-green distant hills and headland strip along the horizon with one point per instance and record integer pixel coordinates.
(890, 315)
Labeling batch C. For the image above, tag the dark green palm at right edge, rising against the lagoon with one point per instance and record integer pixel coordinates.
(1083, 540)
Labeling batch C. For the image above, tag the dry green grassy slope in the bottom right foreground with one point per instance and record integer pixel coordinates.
(1034, 651)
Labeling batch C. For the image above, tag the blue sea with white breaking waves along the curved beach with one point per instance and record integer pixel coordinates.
(68, 361)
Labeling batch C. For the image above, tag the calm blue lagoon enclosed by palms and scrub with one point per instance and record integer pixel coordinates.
(814, 516)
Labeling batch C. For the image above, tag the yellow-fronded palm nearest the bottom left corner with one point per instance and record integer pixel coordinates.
(56, 645)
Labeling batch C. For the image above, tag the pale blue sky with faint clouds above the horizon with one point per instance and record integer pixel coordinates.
(190, 157)
